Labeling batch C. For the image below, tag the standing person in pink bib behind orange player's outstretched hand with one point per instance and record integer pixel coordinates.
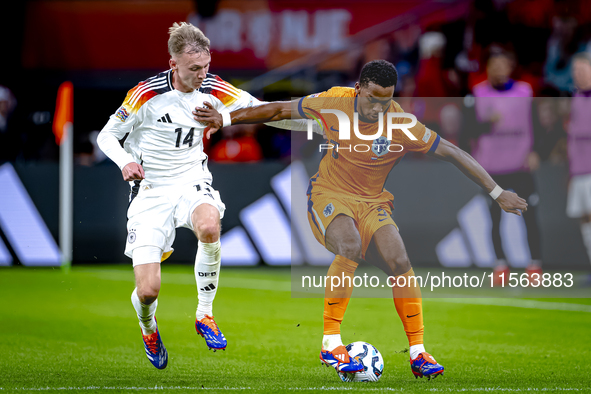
(505, 150)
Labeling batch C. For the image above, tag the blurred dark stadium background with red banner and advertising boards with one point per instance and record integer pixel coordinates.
(278, 49)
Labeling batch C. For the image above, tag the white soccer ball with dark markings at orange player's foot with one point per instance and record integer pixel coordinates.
(370, 357)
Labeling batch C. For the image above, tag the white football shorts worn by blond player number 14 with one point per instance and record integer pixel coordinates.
(156, 212)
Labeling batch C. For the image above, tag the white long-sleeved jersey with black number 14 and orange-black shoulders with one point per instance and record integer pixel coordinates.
(162, 135)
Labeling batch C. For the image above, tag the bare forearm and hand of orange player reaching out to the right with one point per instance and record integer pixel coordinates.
(509, 202)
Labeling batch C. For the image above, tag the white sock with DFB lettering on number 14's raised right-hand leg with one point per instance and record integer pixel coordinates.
(207, 273)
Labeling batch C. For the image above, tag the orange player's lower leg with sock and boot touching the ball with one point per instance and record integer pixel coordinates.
(336, 299)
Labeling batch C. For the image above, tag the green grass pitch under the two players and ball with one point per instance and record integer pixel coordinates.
(77, 332)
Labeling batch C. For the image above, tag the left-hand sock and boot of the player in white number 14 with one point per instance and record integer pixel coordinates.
(155, 350)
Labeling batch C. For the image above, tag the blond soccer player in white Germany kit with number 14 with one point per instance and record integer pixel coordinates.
(163, 160)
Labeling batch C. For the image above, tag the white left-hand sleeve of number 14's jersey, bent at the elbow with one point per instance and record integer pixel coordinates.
(116, 128)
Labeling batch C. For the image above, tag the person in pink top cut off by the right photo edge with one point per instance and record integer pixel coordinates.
(579, 148)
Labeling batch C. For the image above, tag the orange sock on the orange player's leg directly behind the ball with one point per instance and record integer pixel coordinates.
(337, 299)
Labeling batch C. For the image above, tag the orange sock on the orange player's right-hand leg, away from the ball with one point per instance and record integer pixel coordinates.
(409, 305)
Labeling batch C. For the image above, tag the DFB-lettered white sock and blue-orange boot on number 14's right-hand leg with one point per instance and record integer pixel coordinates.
(207, 270)
